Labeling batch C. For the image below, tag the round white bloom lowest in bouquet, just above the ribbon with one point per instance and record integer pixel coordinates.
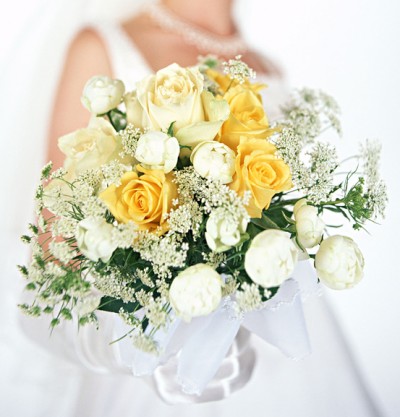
(196, 291)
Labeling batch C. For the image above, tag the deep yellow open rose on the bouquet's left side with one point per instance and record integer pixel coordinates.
(143, 199)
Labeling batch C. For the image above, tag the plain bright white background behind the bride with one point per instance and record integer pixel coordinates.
(351, 49)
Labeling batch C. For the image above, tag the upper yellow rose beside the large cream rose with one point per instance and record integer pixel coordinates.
(247, 117)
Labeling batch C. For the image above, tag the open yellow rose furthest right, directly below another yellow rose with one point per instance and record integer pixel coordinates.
(258, 170)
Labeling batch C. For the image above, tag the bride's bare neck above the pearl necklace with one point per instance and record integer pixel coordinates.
(213, 16)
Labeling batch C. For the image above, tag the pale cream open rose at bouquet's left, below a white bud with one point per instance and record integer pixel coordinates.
(90, 147)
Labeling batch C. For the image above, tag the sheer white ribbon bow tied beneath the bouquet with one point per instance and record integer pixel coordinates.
(195, 351)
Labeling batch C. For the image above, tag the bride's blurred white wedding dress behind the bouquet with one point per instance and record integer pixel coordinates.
(83, 377)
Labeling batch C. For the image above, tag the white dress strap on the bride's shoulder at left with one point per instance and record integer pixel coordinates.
(126, 60)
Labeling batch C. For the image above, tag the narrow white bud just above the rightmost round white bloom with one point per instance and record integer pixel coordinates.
(309, 226)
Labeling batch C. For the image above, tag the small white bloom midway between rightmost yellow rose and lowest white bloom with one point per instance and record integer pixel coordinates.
(223, 231)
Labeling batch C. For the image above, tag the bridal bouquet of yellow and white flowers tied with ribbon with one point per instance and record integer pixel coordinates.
(182, 203)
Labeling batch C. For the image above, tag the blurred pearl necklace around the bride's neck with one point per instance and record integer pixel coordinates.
(203, 40)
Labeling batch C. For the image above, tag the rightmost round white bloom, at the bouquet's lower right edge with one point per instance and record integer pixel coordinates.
(339, 262)
